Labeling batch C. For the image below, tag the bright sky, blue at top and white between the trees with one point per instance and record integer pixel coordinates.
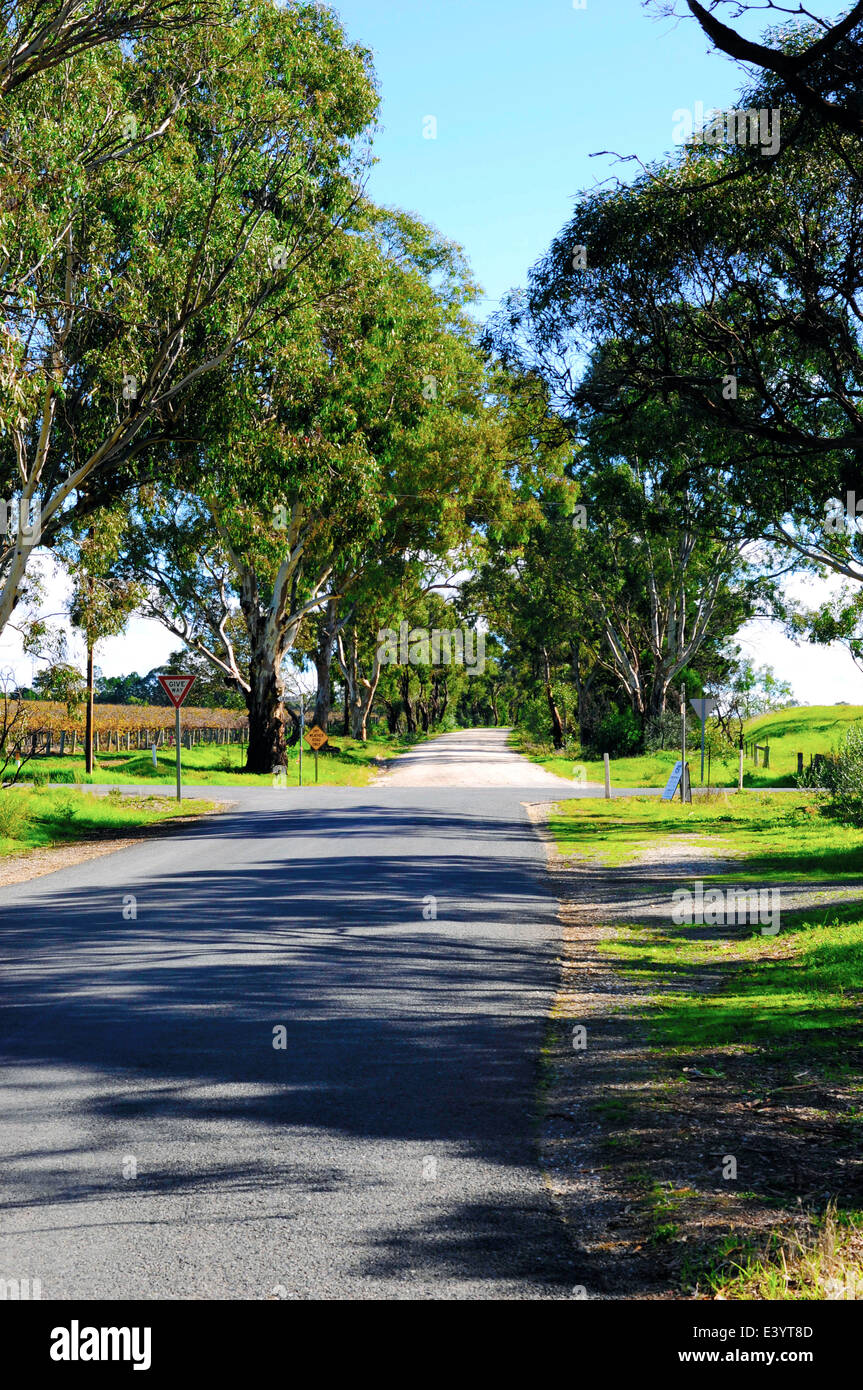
(523, 95)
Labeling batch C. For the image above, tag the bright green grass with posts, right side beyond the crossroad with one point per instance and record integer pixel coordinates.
(812, 729)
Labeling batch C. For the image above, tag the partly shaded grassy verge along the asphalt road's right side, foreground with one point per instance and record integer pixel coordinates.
(755, 1040)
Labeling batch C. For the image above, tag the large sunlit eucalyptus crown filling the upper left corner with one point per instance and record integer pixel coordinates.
(155, 233)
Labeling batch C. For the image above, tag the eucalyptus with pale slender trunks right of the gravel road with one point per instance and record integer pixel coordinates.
(627, 571)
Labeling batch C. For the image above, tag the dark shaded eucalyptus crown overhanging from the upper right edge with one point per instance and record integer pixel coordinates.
(740, 311)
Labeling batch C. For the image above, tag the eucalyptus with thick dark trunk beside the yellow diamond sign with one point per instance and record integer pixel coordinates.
(359, 439)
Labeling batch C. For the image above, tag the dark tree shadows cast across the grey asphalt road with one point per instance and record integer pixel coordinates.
(418, 1035)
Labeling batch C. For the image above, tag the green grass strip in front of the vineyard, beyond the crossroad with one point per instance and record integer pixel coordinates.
(211, 765)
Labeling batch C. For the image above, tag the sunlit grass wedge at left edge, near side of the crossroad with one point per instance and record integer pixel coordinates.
(62, 817)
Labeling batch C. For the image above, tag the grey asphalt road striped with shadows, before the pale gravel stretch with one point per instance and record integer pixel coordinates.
(155, 1142)
